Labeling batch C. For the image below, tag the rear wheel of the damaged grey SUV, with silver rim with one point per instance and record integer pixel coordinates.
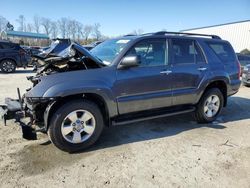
(209, 106)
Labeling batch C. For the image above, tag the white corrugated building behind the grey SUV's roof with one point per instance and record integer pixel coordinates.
(237, 33)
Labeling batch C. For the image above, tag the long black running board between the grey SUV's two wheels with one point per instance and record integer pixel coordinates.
(129, 120)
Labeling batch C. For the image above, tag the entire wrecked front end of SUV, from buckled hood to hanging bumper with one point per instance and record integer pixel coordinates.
(31, 110)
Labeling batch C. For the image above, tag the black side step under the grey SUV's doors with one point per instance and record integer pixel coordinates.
(153, 115)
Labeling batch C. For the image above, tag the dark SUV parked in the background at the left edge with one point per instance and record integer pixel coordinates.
(12, 55)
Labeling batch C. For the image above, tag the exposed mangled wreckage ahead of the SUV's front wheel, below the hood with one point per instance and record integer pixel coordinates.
(29, 113)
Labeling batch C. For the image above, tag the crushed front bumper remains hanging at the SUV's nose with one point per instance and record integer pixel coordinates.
(12, 110)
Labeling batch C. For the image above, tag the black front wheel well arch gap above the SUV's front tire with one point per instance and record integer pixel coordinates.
(97, 99)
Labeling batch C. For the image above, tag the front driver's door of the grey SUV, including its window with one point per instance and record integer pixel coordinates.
(147, 86)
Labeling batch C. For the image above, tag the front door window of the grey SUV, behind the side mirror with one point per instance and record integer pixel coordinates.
(151, 52)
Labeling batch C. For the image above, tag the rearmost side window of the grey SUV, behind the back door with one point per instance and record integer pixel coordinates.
(223, 51)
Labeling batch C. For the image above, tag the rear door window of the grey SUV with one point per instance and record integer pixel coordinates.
(186, 51)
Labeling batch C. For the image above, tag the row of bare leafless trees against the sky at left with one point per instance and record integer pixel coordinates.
(63, 27)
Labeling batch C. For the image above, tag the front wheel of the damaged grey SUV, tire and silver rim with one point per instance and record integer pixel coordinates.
(67, 138)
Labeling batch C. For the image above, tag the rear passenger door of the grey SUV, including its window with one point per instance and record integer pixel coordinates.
(189, 67)
